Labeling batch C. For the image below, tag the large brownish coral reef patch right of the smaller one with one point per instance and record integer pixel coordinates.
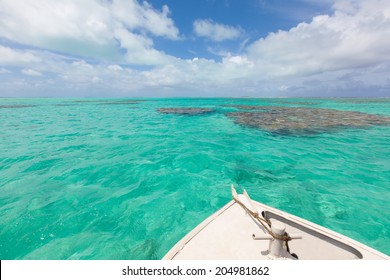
(298, 120)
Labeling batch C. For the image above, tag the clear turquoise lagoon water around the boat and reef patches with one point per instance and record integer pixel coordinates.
(114, 180)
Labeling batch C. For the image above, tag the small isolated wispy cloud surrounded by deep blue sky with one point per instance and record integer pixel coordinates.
(216, 31)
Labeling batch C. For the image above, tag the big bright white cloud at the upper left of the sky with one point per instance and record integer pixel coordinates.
(88, 28)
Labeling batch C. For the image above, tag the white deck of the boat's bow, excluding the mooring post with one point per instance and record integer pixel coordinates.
(227, 234)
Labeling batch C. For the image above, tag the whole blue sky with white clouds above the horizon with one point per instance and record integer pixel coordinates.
(195, 48)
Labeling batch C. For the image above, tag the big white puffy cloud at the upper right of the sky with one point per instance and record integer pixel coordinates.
(356, 35)
